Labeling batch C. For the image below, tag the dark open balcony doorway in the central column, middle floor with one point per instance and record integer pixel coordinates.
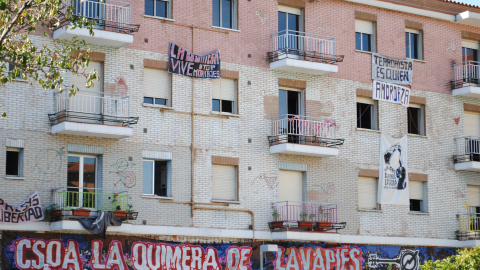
(290, 108)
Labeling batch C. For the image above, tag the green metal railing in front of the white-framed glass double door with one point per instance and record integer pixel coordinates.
(68, 198)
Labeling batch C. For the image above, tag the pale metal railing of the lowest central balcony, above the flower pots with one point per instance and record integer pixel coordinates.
(290, 211)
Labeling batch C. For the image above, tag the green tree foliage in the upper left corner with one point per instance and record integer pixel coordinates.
(20, 20)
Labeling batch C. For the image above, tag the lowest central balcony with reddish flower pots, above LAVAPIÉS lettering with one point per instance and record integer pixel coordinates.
(305, 216)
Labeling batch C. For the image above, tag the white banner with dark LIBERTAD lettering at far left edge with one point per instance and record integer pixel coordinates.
(30, 210)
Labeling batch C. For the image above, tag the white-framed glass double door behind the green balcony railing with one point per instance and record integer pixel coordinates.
(81, 181)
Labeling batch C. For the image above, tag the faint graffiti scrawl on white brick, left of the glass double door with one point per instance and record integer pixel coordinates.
(48, 162)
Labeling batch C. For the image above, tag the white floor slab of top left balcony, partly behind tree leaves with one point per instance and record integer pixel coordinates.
(101, 37)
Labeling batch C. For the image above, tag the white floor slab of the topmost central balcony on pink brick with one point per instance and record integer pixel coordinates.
(304, 66)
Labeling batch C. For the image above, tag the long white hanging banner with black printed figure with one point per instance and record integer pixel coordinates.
(393, 182)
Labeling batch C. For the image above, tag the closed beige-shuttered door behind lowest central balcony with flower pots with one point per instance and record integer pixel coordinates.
(291, 187)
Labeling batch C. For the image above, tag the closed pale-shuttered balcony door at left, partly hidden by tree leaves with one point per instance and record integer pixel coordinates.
(87, 105)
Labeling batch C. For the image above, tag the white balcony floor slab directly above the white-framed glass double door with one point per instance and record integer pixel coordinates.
(94, 130)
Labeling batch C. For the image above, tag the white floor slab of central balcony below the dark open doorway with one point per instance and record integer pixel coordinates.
(304, 150)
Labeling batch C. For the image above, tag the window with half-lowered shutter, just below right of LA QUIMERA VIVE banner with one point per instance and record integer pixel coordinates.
(224, 95)
